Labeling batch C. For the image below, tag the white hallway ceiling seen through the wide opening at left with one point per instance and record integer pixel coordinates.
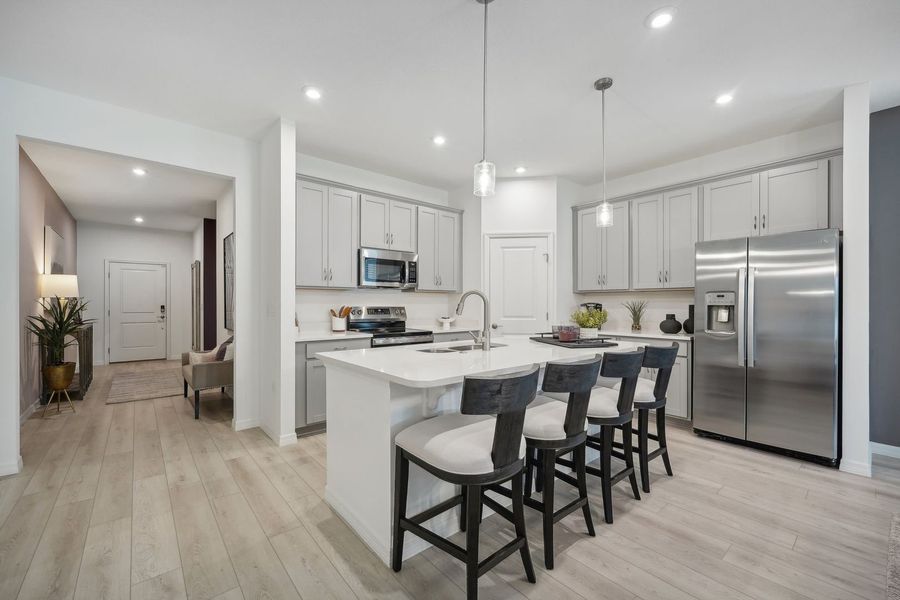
(100, 187)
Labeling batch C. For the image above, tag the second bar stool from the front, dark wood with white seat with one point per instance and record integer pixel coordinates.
(553, 429)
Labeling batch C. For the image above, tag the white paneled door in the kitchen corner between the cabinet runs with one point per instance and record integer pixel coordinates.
(519, 284)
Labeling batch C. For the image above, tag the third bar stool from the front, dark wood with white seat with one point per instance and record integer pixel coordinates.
(610, 408)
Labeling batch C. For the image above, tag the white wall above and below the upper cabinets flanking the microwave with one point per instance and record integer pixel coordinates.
(423, 308)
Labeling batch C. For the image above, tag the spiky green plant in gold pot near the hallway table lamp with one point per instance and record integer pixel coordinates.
(54, 329)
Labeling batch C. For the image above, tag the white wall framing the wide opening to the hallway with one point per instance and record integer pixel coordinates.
(44, 114)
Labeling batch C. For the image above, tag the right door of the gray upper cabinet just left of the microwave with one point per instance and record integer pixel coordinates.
(342, 254)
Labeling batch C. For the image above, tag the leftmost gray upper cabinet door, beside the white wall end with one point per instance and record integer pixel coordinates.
(312, 223)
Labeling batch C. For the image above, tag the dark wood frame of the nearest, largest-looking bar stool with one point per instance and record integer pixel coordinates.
(503, 396)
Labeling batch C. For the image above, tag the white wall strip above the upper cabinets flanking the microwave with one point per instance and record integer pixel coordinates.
(325, 169)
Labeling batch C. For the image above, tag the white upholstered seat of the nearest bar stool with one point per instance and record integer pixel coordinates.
(455, 443)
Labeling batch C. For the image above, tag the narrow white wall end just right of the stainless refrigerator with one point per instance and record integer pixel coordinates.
(855, 356)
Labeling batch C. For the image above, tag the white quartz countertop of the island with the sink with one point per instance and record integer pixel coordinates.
(408, 366)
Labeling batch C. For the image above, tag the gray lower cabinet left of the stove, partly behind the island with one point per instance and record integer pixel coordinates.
(309, 390)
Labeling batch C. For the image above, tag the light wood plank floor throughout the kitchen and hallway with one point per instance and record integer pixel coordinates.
(139, 500)
